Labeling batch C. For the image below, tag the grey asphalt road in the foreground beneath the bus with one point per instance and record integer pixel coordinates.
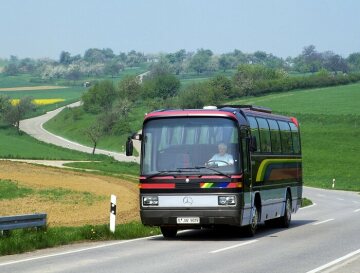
(322, 238)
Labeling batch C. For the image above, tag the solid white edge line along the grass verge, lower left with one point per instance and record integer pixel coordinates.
(75, 251)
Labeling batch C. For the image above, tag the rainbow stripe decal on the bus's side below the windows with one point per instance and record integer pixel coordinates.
(277, 169)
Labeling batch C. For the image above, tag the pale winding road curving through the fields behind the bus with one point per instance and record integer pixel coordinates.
(34, 128)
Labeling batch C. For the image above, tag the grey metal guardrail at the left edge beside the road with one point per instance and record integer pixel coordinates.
(8, 223)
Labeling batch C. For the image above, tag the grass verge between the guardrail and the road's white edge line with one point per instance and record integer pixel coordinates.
(20, 241)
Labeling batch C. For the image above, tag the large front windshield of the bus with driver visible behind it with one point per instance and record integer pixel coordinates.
(191, 145)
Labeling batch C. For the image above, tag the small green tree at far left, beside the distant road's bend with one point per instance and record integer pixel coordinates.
(15, 113)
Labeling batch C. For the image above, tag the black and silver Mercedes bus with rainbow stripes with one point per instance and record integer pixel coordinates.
(235, 165)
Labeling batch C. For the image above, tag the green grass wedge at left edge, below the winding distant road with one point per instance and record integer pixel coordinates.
(15, 146)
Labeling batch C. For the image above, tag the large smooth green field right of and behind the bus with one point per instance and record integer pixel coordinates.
(330, 127)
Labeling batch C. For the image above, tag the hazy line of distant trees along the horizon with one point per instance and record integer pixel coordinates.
(99, 62)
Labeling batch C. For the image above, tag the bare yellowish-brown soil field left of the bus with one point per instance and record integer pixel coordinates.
(72, 209)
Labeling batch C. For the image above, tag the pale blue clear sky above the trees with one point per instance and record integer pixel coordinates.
(44, 28)
